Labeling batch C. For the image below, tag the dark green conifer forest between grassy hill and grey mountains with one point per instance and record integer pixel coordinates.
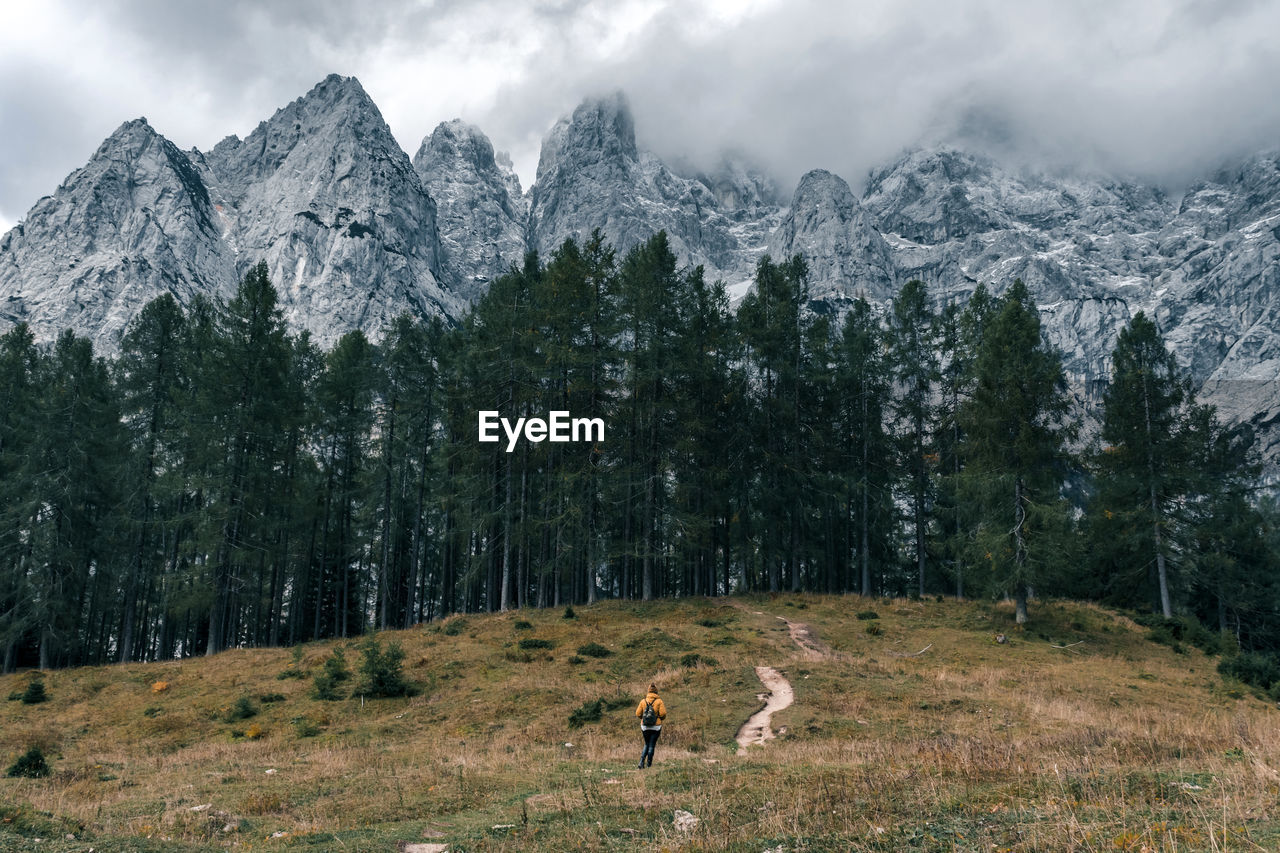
(221, 482)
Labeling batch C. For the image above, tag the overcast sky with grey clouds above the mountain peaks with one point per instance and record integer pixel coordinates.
(1158, 89)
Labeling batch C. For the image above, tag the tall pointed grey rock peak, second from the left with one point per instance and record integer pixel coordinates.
(327, 197)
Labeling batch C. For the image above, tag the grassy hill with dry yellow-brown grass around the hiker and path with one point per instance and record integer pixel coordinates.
(1077, 735)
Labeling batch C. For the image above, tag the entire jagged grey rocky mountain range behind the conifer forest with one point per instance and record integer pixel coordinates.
(355, 234)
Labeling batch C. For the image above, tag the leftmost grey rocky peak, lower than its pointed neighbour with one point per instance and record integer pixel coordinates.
(135, 222)
